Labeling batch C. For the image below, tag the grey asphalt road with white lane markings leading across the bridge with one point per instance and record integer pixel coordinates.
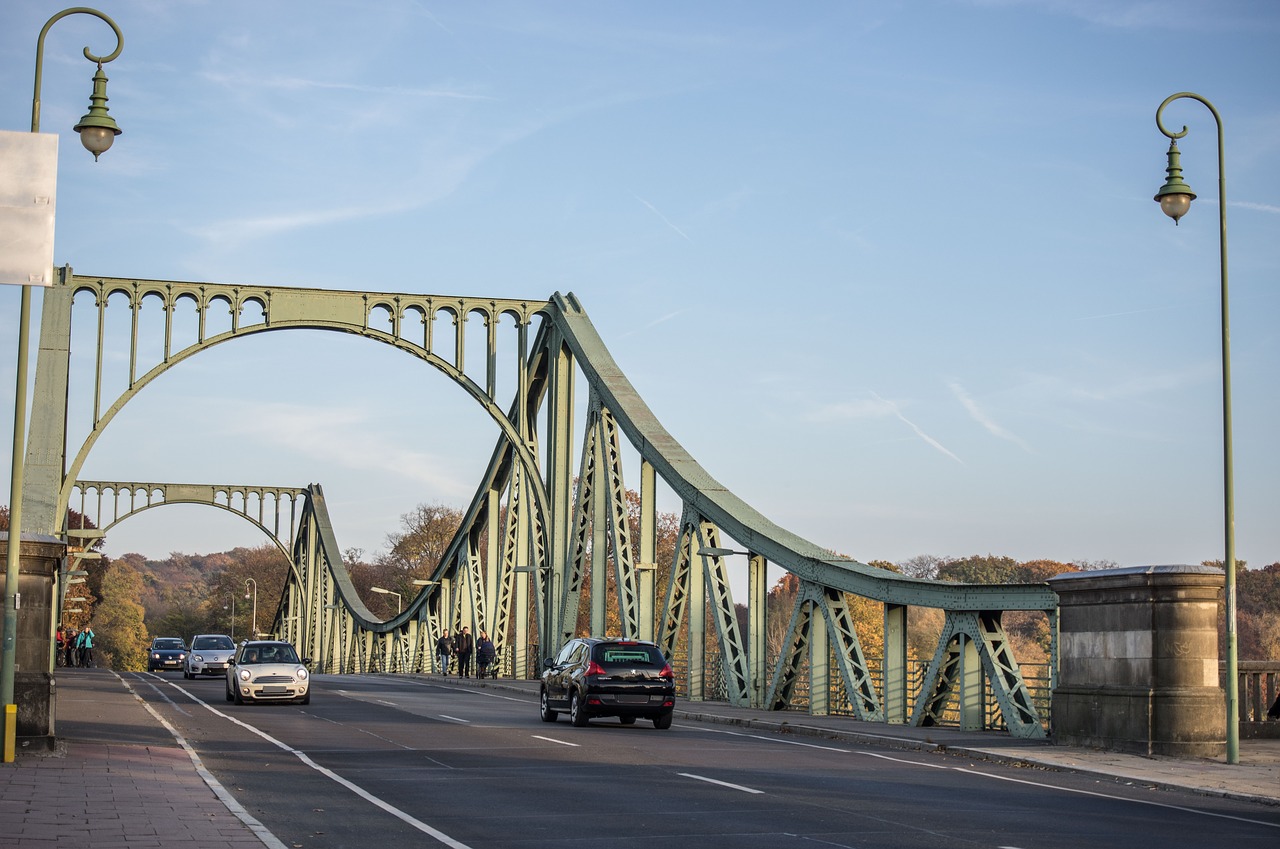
(395, 763)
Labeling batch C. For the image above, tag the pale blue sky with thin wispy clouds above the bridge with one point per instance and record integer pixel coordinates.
(890, 272)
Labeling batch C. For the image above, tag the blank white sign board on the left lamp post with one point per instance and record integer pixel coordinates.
(29, 190)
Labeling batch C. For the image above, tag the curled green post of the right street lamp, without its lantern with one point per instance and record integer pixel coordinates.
(1233, 686)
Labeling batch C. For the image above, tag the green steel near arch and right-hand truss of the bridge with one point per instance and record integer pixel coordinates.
(536, 530)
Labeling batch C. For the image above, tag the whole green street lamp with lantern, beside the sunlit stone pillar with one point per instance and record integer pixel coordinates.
(1176, 198)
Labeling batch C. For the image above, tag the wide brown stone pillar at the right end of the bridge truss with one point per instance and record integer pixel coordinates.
(1139, 667)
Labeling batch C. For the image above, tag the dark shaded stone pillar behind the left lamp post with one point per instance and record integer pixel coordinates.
(34, 661)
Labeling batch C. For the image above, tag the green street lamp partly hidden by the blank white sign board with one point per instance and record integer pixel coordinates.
(98, 131)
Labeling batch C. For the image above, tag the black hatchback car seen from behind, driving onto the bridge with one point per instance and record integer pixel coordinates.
(591, 678)
